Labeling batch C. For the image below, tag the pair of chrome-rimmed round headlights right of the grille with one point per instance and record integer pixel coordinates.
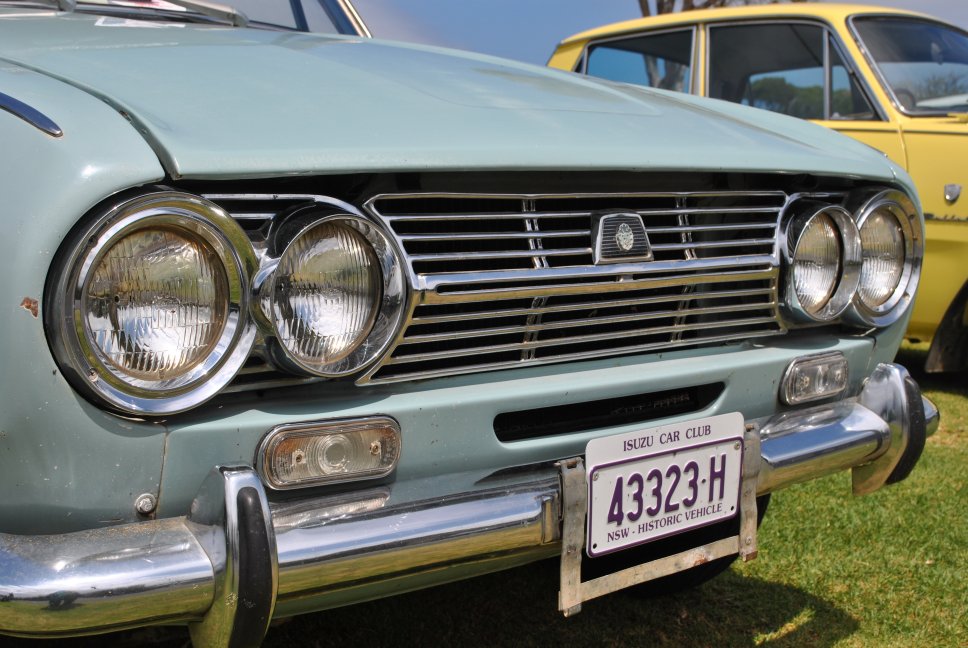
(862, 266)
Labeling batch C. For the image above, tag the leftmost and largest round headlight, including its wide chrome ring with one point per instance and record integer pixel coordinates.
(148, 313)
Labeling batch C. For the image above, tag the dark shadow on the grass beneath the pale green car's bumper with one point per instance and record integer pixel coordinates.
(519, 608)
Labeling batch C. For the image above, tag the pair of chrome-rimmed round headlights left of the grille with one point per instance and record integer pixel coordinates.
(157, 305)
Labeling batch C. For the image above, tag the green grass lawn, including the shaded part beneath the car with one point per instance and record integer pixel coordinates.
(889, 569)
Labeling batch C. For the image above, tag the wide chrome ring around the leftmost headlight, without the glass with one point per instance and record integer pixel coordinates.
(194, 219)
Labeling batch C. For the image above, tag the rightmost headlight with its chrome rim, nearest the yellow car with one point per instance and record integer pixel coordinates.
(892, 250)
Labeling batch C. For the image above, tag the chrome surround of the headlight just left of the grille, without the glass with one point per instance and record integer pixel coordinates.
(389, 304)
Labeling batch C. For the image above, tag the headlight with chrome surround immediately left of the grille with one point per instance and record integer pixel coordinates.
(335, 297)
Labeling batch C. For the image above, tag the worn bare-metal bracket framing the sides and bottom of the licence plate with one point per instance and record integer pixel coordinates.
(573, 591)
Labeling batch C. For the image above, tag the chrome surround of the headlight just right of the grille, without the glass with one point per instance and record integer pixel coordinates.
(845, 285)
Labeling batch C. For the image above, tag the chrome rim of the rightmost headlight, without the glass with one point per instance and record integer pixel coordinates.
(903, 210)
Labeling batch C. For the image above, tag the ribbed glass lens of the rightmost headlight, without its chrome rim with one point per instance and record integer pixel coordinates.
(882, 244)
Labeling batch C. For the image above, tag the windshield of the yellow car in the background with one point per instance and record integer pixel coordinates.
(923, 63)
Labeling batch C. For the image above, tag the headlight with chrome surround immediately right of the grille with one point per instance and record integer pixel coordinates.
(823, 256)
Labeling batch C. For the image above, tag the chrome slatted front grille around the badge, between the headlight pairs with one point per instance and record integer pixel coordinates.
(504, 281)
